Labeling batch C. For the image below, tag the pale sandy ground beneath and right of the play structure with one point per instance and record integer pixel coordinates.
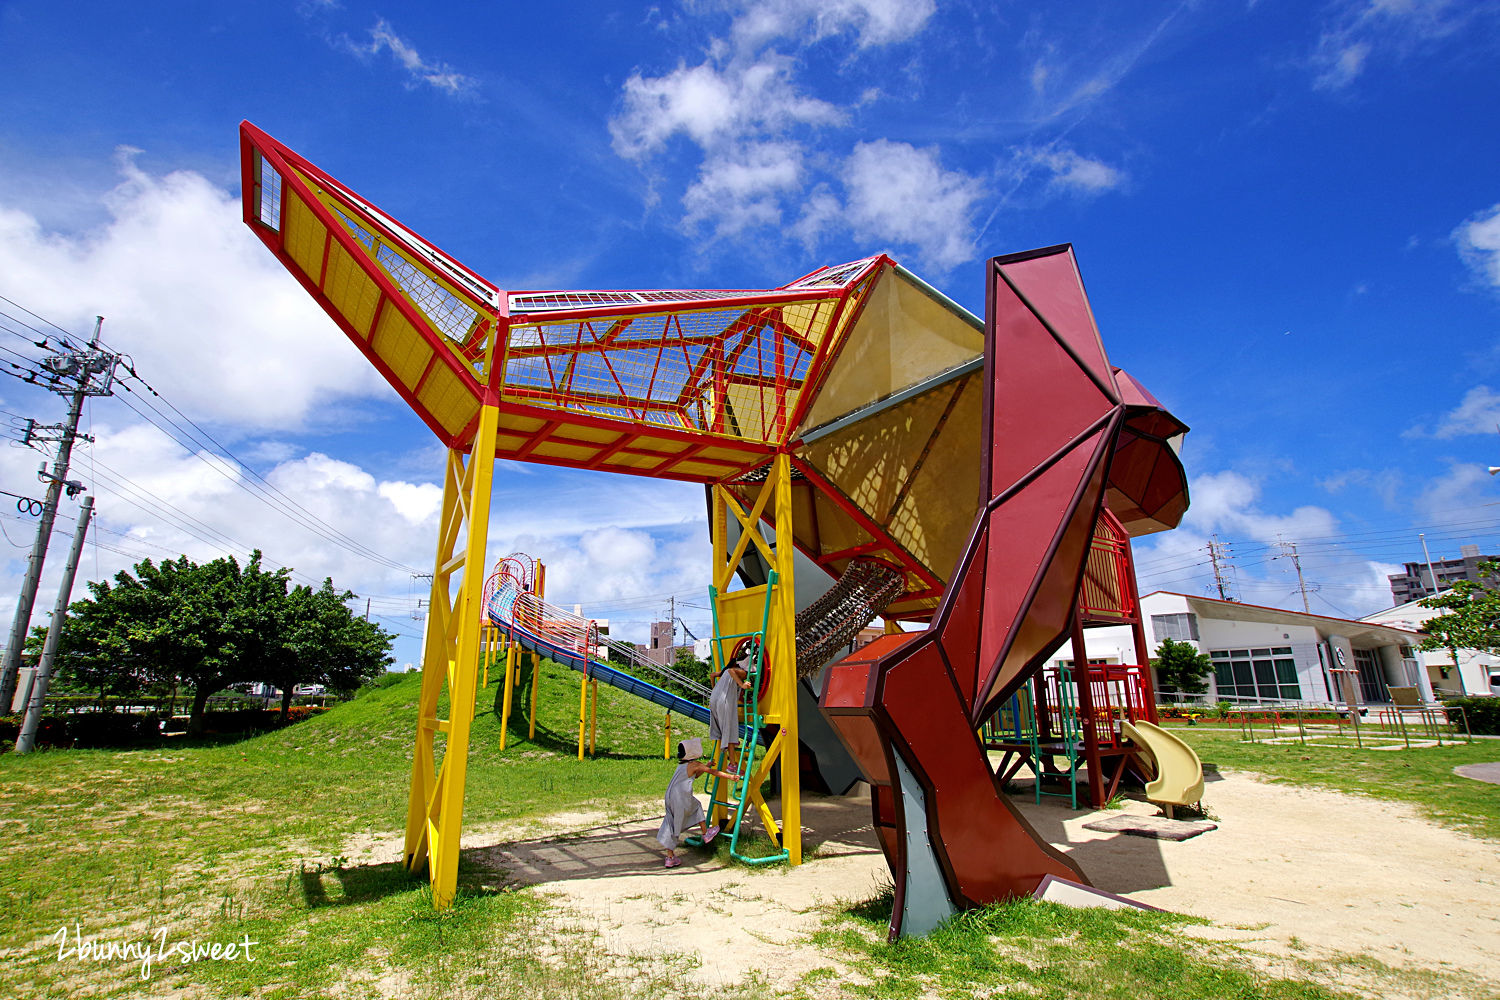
(1289, 872)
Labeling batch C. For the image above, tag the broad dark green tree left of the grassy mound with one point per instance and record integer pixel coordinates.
(206, 627)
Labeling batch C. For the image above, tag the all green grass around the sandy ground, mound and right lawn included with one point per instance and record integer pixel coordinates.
(223, 840)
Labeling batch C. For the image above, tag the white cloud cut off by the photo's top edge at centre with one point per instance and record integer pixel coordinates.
(871, 22)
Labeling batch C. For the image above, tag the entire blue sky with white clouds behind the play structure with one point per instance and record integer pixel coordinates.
(1288, 217)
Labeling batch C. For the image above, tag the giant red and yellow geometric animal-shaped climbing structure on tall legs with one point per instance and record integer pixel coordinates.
(941, 467)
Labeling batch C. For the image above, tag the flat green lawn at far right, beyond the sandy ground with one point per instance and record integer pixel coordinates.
(1423, 777)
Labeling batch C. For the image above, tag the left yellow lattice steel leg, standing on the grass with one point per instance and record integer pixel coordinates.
(436, 810)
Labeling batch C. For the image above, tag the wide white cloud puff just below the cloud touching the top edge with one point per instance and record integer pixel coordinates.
(713, 106)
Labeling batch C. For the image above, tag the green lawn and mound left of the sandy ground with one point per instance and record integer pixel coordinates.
(248, 837)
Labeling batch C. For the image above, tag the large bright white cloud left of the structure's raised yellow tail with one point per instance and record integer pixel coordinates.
(208, 314)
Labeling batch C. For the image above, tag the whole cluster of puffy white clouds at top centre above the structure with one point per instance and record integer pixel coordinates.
(752, 124)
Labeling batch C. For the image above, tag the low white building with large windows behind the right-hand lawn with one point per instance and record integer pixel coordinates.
(1265, 654)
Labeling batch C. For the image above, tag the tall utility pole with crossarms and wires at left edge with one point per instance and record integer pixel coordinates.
(77, 376)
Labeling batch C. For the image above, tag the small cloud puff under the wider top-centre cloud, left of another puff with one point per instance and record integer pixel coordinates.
(743, 188)
